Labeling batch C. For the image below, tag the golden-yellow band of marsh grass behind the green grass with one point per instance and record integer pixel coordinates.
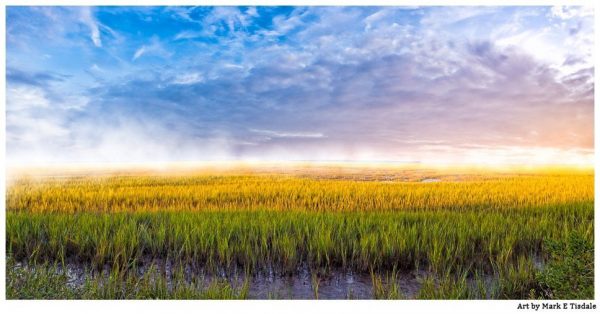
(282, 193)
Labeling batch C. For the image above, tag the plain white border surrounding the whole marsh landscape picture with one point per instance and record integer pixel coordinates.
(265, 306)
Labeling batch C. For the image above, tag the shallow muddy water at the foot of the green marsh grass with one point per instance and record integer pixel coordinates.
(302, 284)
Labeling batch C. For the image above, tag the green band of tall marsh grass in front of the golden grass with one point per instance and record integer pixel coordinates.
(255, 240)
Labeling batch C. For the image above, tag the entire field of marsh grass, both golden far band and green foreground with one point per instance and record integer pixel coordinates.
(458, 232)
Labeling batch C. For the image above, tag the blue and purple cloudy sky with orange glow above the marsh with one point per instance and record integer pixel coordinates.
(405, 84)
